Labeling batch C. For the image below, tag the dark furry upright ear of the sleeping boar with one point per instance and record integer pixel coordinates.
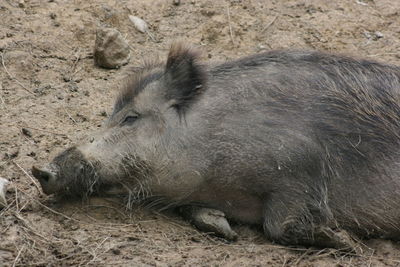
(185, 77)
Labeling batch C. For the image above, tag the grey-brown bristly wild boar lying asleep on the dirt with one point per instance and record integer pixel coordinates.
(306, 144)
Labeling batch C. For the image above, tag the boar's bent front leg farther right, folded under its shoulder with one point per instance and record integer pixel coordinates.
(288, 220)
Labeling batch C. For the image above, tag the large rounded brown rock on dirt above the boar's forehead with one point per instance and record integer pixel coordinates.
(111, 50)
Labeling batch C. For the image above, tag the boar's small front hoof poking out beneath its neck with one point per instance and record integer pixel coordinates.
(209, 220)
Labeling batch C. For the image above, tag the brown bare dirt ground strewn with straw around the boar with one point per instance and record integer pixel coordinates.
(51, 95)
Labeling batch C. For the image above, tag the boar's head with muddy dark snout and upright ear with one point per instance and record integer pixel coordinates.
(138, 148)
